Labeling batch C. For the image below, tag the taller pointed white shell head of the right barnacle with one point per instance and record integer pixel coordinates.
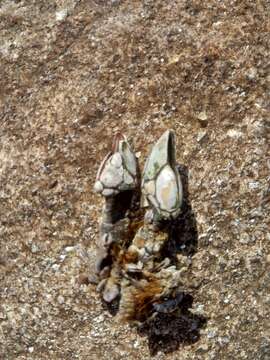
(161, 184)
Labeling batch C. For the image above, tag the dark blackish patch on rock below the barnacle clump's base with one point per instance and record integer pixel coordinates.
(166, 332)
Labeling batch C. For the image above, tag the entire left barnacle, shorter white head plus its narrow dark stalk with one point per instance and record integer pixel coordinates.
(117, 179)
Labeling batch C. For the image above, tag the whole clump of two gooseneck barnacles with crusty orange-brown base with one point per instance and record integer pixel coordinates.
(131, 266)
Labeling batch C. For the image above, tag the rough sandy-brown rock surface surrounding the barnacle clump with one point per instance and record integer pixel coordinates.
(72, 74)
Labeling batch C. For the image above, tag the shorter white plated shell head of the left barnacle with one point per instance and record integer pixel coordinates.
(118, 170)
